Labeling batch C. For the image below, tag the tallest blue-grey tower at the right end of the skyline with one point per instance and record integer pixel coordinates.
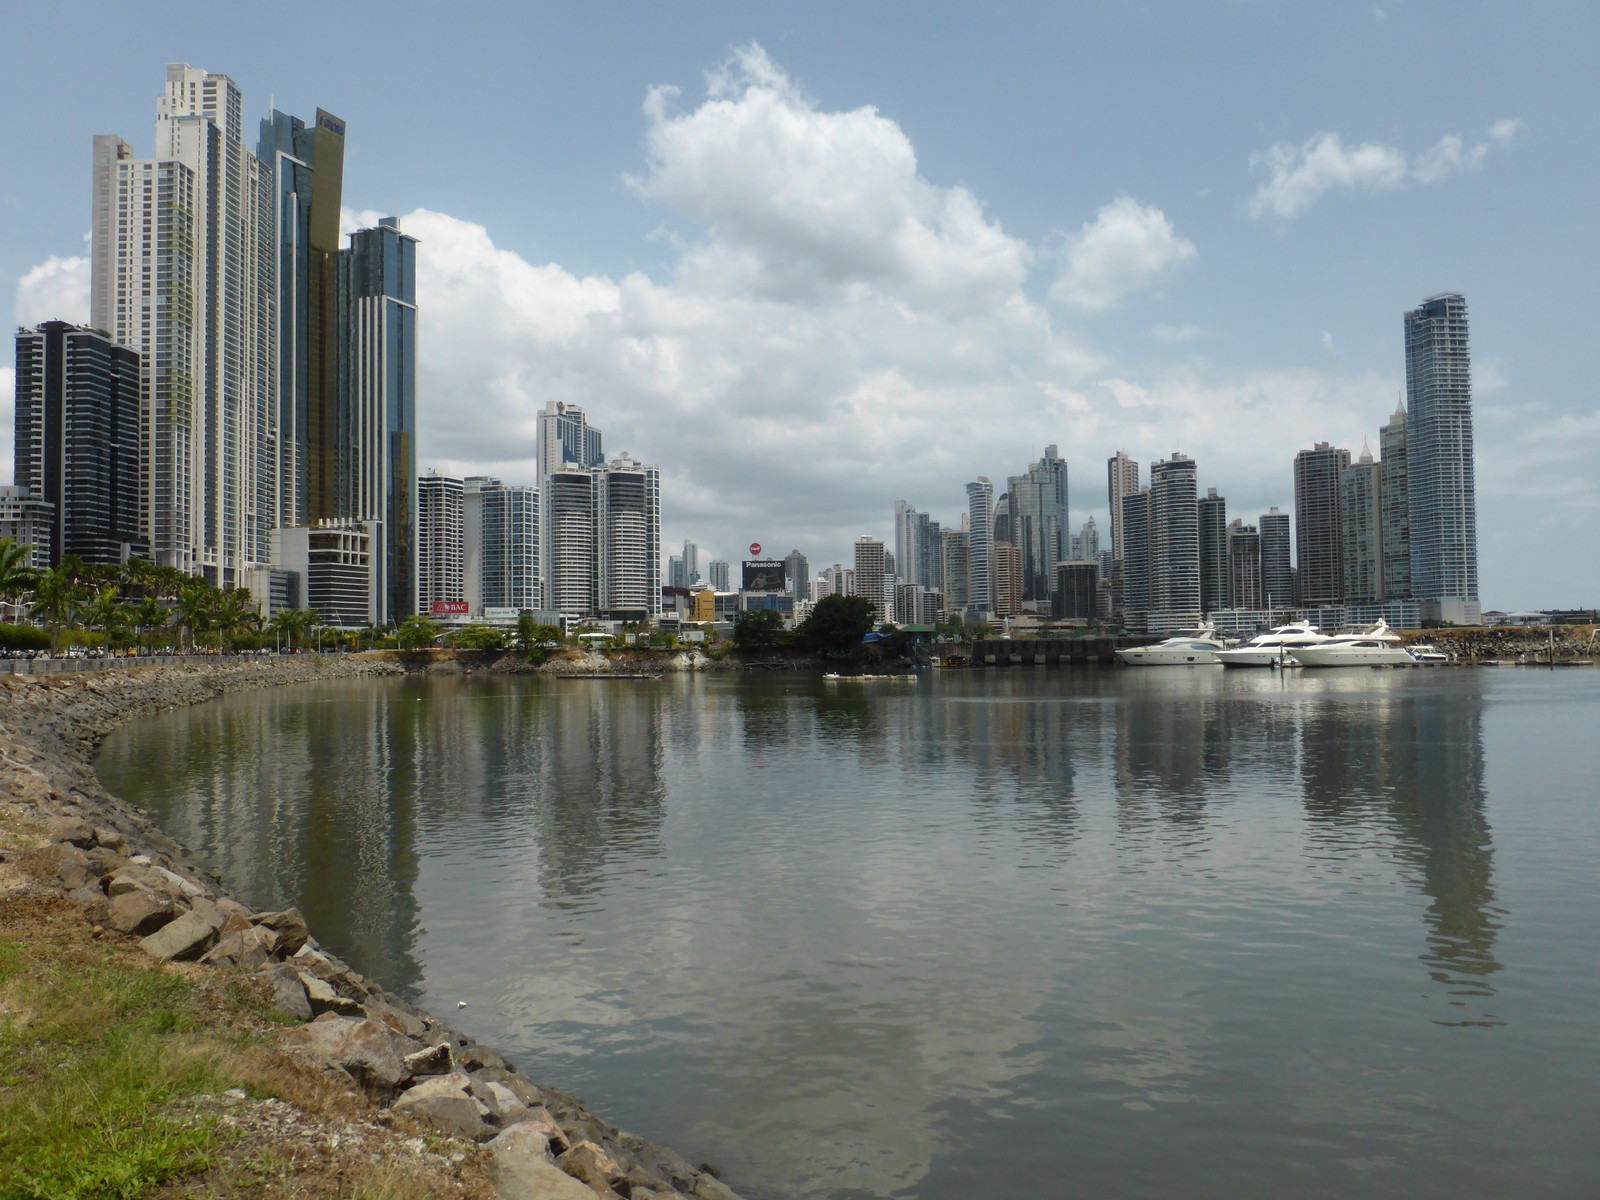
(1441, 460)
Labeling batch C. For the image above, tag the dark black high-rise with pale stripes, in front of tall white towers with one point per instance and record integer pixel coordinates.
(78, 441)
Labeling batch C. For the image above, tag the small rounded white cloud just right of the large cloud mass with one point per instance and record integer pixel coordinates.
(1127, 247)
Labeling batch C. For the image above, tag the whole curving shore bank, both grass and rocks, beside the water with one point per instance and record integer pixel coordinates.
(162, 1039)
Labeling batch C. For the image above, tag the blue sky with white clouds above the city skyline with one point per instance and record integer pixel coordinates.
(815, 260)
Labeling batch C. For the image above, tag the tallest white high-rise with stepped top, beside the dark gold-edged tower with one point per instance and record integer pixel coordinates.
(183, 273)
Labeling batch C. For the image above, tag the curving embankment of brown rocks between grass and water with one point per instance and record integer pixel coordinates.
(132, 882)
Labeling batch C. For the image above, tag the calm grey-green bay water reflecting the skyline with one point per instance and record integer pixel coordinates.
(1092, 934)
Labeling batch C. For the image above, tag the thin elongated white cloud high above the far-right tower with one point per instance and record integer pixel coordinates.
(1298, 177)
